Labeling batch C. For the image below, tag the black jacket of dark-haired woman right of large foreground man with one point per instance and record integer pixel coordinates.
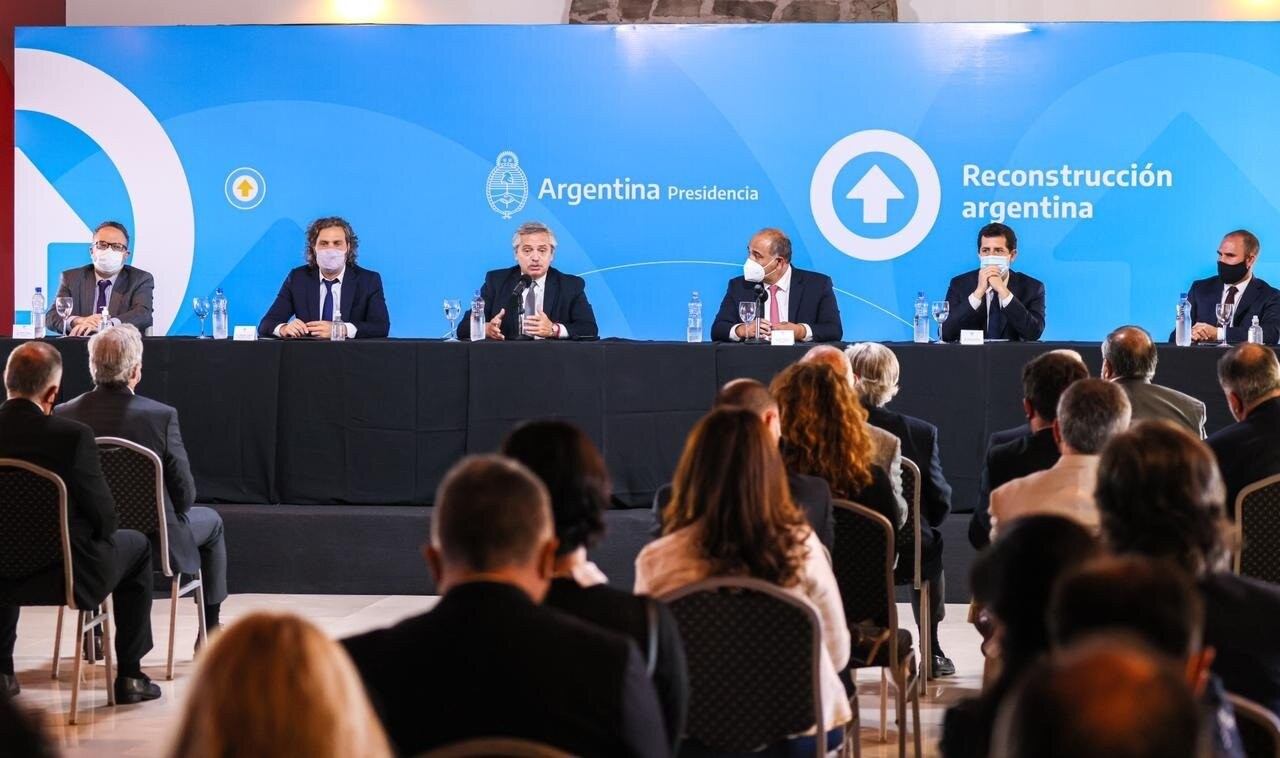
(627, 614)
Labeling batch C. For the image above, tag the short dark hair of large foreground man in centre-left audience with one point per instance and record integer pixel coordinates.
(491, 513)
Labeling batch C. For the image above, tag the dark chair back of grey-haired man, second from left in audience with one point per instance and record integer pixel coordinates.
(136, 478)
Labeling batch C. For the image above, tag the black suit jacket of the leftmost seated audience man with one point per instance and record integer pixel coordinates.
(67, 449)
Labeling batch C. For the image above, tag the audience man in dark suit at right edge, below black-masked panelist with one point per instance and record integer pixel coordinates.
(1249, 450)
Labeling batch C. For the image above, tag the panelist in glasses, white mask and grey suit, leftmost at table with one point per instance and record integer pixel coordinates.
(106, 284)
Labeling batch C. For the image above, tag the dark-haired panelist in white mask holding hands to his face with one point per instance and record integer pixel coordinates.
(1003, 303)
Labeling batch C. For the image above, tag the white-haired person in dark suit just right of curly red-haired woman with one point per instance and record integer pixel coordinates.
(876, 373)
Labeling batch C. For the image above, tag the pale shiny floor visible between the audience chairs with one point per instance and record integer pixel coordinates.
(145, 729)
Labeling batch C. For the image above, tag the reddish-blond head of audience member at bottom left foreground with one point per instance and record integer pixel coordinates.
(272, 684)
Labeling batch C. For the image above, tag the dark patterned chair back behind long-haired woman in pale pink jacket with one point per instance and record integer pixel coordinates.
(755, 655)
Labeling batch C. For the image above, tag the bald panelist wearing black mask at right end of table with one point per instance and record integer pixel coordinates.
(1235, 285)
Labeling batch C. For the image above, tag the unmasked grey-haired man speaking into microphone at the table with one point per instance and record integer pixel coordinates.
(533, 300)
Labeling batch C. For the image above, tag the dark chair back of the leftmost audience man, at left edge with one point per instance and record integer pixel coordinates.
(34, 531)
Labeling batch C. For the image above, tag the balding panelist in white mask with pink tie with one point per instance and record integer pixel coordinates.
(789, 299)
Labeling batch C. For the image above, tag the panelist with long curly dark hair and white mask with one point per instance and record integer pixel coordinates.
(330, 285)
